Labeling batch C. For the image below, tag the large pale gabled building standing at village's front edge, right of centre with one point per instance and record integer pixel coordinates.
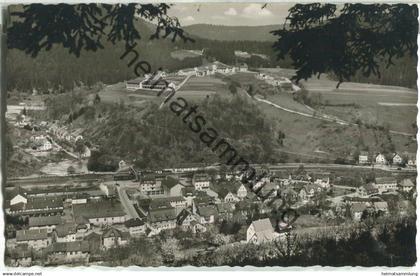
(261, 231)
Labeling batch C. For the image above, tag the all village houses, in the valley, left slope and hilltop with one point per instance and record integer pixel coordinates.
(75, 217)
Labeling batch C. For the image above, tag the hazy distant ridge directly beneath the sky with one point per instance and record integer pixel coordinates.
(232, 33)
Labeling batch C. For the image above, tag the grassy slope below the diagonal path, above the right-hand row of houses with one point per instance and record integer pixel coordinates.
(313, 138)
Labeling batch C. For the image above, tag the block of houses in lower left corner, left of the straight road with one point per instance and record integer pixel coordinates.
(62, 222)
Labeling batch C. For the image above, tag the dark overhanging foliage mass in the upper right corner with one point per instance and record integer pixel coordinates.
(322, 38)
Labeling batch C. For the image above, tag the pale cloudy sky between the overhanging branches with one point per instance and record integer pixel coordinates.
(232, 14)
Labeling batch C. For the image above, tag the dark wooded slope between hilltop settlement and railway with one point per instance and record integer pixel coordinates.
(154, 138)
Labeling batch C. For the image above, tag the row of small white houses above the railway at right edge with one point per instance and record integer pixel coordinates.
(406, 158)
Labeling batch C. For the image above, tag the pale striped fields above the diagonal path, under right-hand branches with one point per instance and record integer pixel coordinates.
(390, 106)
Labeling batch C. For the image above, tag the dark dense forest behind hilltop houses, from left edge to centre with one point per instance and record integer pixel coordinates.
(57, 70)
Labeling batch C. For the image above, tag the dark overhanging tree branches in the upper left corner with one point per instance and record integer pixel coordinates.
(86, 26)
